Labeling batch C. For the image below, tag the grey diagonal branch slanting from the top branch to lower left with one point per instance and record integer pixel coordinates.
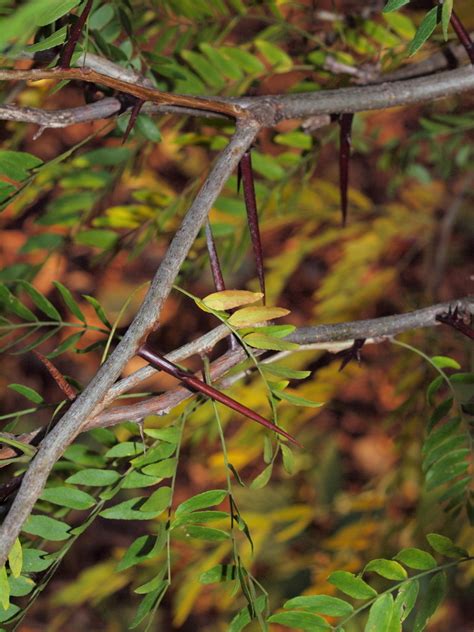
(91, 400)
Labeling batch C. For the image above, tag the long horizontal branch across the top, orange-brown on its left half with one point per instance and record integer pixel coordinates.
(269, 110)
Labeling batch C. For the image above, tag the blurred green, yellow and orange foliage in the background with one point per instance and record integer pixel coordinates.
(96, 215)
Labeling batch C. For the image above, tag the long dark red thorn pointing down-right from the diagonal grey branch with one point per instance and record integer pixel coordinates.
(195, 384)
